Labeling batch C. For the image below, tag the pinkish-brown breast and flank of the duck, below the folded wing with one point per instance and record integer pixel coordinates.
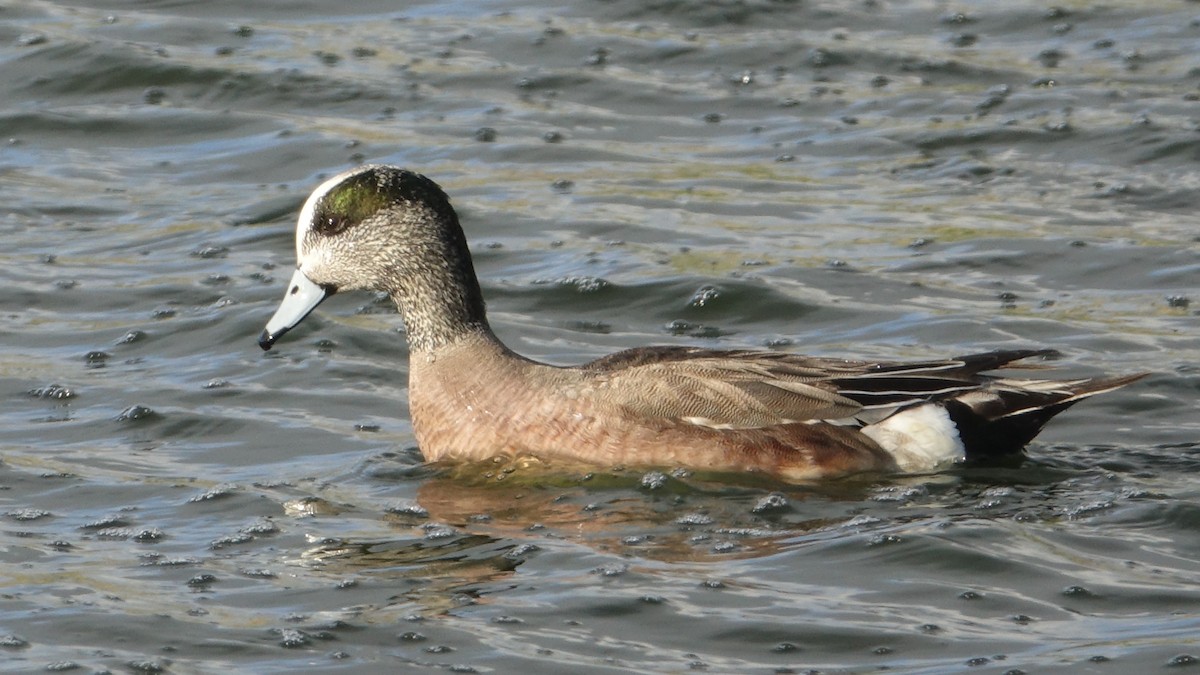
(505, 405)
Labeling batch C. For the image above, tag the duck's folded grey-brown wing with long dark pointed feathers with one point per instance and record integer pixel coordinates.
(747, 390)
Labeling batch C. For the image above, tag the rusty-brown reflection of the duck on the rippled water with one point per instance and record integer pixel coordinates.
(482, 521)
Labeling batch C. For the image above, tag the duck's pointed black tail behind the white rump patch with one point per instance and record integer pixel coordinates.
(1001, 420)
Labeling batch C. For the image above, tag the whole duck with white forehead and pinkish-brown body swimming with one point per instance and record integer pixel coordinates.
(386, 229)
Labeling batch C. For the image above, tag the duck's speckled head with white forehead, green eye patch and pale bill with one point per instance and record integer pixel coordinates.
(382, 229)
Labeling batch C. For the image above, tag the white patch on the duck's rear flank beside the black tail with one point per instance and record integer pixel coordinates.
(920, 439)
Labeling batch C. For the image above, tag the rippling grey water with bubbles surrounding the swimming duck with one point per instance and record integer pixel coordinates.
(866, 180)
